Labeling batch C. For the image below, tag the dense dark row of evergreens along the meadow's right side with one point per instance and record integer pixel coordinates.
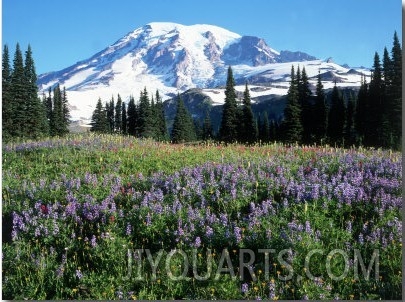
(372, 119)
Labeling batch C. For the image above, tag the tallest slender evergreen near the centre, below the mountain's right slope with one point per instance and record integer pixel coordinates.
(229, 123)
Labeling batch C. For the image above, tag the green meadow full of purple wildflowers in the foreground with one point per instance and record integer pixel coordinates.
(113, 217)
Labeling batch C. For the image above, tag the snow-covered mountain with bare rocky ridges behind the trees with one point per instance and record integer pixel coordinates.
(173, 58)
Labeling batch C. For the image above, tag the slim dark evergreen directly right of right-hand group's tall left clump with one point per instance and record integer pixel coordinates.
(320, 113)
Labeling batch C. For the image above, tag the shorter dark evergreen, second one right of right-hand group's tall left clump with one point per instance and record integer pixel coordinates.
(336, 120)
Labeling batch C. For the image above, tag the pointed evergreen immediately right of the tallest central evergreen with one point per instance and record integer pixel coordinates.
(248, 129)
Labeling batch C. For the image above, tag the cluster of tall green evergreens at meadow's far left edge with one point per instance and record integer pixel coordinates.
(24, 114)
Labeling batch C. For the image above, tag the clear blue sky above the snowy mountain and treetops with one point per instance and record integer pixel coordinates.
(62, 32)
